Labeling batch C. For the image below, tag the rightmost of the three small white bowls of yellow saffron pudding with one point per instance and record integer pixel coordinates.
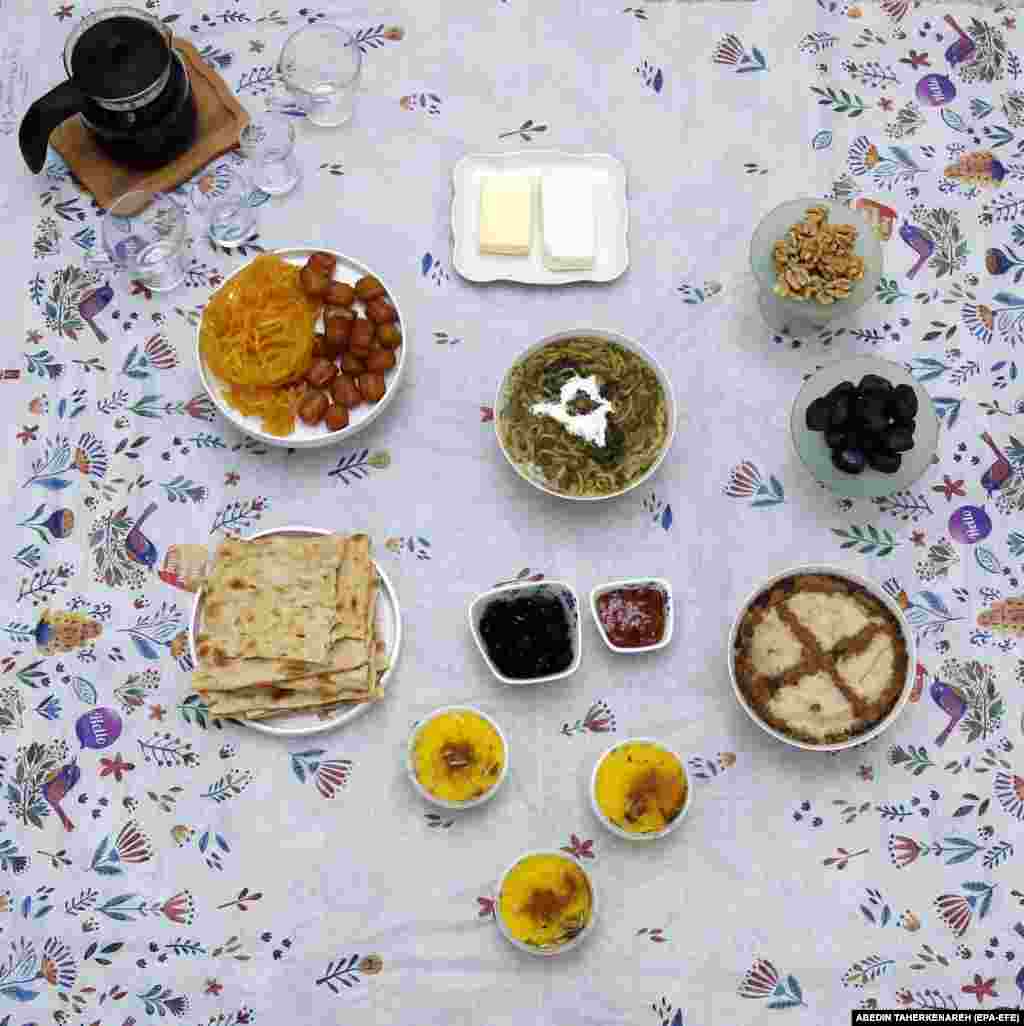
(640, 790)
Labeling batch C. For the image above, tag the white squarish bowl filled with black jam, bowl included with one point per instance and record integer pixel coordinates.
(529, 634)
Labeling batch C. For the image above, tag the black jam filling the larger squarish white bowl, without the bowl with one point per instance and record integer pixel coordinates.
(528, 638)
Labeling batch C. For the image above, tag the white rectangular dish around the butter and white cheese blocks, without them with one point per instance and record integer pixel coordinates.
(552, 278)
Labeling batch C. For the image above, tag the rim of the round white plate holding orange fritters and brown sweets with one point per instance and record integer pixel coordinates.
(333, 438)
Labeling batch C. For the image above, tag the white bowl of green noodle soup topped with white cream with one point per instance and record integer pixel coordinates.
(585, 415)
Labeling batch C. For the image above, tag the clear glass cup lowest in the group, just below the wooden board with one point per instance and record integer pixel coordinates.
(144, 234)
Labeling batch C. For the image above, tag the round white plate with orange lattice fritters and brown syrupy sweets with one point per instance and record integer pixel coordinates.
(302, 348)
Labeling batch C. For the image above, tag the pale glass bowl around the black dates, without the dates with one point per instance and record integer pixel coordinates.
(815, 455)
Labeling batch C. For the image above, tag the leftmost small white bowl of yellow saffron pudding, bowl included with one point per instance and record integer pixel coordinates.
(458, 758)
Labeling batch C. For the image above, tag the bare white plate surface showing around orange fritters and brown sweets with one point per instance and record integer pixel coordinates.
(363, 416)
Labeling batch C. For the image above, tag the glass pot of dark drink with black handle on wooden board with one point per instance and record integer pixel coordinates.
(129, 86)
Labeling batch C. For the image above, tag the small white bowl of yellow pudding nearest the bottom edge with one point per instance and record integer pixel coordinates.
(546, 903)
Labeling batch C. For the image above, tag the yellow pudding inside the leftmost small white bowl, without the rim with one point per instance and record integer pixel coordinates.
(458, 757)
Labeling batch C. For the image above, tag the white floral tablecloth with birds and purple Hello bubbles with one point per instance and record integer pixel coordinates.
(156, 864)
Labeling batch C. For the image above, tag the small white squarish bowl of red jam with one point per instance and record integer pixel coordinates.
(635, 616)
